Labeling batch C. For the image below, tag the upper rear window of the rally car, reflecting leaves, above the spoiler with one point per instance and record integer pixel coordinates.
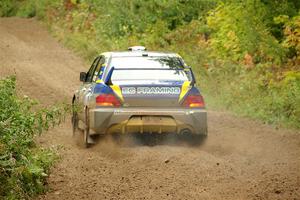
(147, 62)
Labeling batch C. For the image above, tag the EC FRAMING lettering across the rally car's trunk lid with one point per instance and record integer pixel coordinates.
(150, 90)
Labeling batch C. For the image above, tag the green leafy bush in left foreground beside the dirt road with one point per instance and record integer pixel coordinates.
(23, 165)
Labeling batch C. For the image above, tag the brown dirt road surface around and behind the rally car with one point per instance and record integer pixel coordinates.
(242, 159)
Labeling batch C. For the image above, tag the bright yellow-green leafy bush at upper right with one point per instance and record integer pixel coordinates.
(239, 29)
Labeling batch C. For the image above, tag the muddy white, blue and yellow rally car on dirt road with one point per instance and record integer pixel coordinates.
(138, 91)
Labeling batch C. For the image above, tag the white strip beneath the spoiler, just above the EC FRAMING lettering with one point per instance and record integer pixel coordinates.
(148, 74)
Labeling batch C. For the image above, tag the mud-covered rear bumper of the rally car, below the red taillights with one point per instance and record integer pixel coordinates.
(148, 120)
